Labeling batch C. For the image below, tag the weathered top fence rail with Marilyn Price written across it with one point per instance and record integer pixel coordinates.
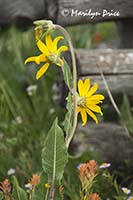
(68, 10)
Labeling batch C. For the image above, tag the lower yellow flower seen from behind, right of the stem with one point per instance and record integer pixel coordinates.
(87, 101)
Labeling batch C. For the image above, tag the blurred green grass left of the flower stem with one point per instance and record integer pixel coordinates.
(22, 140)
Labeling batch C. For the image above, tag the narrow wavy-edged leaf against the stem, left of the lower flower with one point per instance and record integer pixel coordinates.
(68, 116)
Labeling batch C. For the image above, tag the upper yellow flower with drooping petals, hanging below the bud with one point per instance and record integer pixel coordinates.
(49, 54)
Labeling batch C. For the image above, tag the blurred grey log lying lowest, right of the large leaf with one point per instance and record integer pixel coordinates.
(109, 139)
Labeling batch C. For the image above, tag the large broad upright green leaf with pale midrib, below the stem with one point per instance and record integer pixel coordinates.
(54, 153)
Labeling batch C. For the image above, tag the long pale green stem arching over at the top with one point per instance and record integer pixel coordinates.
(58, 27)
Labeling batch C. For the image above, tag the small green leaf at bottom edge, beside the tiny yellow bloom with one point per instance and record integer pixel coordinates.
(40, 191)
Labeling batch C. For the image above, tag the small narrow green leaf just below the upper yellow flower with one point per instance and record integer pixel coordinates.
(67, 75)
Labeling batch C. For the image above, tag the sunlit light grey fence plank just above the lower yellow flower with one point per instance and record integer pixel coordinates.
(111, 61)
